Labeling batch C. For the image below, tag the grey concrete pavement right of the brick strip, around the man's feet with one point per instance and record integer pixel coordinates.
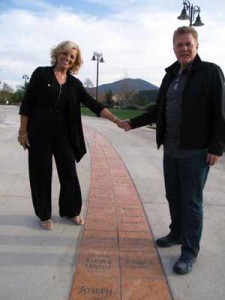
(144, 163)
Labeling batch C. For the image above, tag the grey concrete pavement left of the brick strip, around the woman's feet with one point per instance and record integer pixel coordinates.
(34, 264)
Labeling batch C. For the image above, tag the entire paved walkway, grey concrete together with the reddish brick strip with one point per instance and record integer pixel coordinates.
(113, 256)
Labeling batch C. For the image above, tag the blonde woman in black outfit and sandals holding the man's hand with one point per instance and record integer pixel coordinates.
(50, 125)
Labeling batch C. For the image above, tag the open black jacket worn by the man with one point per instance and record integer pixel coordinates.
(203, 108)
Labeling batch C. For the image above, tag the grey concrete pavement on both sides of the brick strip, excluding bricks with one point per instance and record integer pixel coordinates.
(36, 264)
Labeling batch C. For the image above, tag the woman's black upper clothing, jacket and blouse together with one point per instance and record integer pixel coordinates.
(45, 96)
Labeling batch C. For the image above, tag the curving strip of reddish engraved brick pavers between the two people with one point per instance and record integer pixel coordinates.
(117, 258)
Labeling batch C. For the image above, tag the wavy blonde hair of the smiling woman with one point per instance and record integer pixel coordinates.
(65, 46)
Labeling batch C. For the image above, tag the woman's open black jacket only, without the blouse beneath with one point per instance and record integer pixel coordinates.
(38, 88)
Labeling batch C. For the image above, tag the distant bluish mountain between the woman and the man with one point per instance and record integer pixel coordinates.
(127, 84)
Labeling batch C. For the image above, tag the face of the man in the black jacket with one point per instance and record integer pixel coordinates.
(185, 48)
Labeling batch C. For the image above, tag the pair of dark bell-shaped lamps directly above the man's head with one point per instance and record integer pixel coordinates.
(188, 13)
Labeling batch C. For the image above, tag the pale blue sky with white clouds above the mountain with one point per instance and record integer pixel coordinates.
(134, 37)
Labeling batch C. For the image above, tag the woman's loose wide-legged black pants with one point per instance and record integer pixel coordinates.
(50, 138)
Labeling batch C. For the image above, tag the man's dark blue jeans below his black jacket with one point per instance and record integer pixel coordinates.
(184, 182)
